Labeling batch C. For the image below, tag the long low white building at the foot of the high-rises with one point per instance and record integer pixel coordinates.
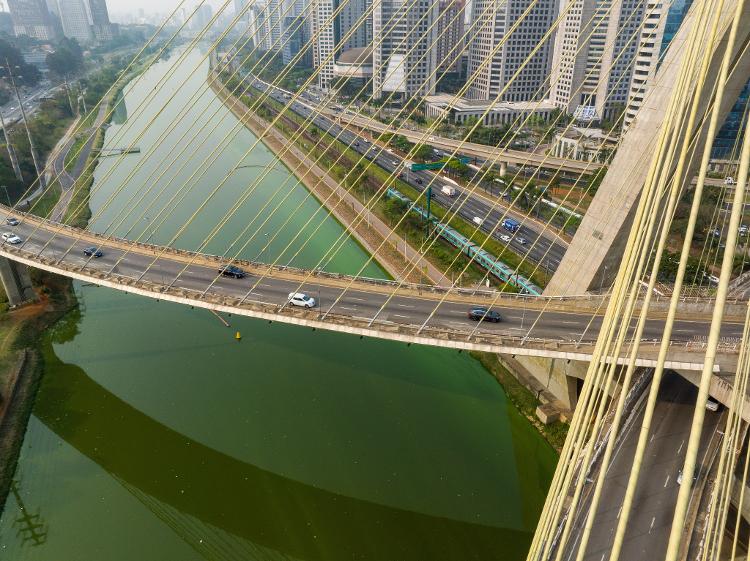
(491, 113)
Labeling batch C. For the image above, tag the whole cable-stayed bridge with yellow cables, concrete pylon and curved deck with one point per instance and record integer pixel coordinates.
(647, 213)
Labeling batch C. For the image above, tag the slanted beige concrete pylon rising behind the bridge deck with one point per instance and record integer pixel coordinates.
(594, 256)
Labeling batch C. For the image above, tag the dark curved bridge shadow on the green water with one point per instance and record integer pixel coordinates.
(252, 503)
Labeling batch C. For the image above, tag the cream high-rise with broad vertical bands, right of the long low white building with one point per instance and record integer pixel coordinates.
(593, 57)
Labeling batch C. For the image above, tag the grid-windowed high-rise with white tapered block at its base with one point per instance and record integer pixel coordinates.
(404, 48)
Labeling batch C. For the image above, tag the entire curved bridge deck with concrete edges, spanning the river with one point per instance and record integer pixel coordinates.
(557, 327)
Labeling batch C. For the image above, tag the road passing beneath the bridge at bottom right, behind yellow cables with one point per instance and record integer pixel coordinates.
(651, 519)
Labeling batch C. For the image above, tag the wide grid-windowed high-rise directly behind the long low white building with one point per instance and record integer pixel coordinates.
(499, 70)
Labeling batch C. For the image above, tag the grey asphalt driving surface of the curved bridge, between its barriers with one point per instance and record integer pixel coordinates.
(357, 302)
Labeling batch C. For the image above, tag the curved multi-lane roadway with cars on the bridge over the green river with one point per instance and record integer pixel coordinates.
(362, 301)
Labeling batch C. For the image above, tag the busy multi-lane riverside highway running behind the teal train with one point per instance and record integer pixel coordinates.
(543, 247)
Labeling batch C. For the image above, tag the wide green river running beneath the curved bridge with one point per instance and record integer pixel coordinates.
(156, 436)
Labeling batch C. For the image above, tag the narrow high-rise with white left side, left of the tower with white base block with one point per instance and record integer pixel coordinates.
(350, 29)
